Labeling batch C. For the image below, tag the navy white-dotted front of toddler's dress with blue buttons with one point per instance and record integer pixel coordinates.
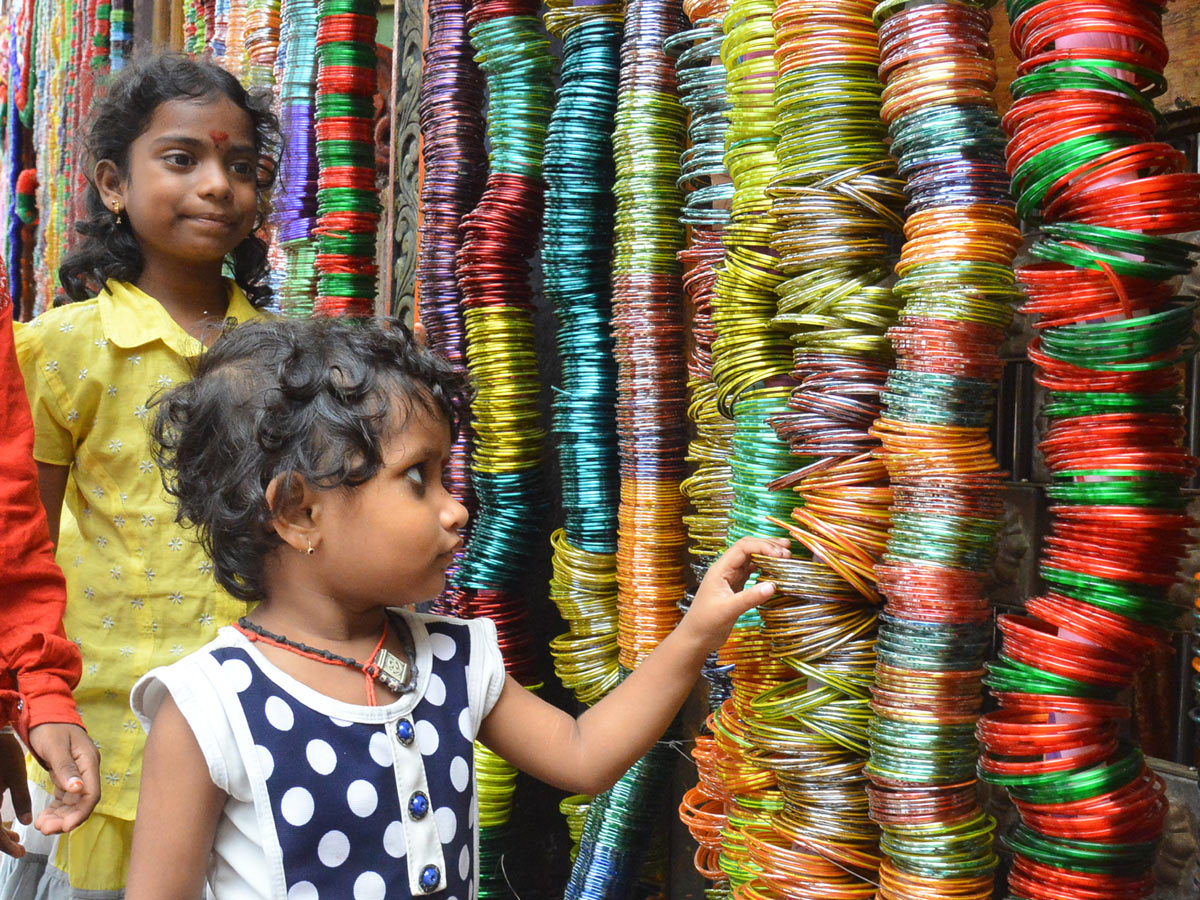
(369, 812)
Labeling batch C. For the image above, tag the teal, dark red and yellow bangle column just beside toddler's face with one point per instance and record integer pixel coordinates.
(494, 278)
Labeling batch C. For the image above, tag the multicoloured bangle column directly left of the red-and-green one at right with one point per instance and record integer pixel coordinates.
(956, 279)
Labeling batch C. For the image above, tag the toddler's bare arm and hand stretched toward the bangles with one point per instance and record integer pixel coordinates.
(590, 754)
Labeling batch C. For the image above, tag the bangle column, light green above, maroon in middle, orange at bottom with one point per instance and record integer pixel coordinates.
(650, 333)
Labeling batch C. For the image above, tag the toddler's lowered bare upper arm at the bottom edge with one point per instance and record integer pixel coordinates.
(178, 813)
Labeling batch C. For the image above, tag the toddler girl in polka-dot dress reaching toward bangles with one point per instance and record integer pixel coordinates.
(323, 747)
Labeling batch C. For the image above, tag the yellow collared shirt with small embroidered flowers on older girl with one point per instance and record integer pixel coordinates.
(140, 589)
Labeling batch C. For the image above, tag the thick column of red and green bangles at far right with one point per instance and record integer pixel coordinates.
(1112, 338)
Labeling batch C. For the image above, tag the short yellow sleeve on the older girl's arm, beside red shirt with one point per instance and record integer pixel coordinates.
(55, 440)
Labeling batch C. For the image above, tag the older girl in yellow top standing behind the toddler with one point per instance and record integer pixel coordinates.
(183, 160)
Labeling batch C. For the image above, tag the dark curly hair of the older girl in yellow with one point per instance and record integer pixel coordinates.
(110, 250)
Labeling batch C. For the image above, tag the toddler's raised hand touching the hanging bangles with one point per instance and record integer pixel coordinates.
(723, 596)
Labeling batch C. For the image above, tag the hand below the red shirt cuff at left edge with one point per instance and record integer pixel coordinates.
(75, 769)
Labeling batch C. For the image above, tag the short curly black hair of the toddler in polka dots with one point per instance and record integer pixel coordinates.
(314, 399)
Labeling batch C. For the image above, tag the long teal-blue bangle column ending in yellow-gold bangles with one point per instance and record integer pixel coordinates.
(577, 255)
